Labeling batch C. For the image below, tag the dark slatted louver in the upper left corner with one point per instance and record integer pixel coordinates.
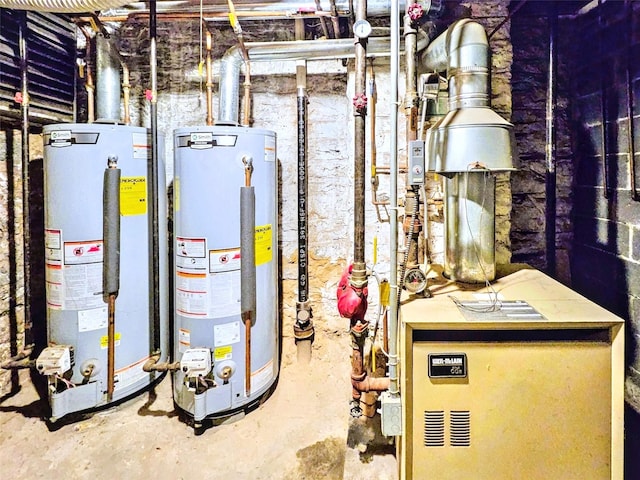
(51, 45)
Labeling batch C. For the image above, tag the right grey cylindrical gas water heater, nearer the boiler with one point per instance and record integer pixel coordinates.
(228, 357)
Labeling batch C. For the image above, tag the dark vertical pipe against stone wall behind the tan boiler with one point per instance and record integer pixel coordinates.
(550, 151)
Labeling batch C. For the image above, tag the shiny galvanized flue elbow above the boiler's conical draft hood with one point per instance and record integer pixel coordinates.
(463, 51)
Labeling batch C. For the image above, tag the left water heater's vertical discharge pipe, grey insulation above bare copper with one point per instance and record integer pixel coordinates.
(111, 260)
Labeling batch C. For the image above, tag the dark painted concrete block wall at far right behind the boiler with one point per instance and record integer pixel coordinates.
(606, 257)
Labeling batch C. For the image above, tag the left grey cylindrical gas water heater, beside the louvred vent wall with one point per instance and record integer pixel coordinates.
(76, 359)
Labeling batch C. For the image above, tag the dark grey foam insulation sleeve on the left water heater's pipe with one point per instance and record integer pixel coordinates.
(111, 231)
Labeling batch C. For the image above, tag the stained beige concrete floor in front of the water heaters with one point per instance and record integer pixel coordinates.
(303, 431)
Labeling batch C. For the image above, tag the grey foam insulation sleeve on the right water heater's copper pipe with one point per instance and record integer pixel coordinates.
(247, 251)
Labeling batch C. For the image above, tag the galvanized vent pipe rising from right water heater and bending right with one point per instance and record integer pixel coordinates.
(232, 61)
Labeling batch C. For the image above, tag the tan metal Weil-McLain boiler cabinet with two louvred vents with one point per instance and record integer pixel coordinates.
(529, 387)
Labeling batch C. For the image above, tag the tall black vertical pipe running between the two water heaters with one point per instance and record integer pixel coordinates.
(152, 189)
